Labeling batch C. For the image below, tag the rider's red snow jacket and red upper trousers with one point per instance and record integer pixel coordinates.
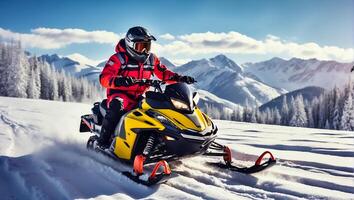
(119, 64)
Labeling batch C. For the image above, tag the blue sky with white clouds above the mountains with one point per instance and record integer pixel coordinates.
(246, 31)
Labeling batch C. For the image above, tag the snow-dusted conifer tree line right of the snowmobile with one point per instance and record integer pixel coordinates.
(334, 109)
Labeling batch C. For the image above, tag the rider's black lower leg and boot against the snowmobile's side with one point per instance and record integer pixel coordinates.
(110, 121)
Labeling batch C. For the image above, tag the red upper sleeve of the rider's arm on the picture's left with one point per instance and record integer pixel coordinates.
(109, 72)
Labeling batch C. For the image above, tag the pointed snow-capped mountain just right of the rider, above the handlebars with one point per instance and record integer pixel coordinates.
(224, 78)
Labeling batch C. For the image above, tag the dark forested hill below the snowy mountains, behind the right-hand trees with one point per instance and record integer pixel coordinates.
(308, 93)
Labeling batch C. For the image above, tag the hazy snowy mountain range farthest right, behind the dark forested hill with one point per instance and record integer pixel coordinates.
(298, 73)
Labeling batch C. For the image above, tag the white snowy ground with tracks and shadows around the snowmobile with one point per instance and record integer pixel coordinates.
(42, 156)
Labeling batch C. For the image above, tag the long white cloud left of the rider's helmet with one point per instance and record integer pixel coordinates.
(52, 38)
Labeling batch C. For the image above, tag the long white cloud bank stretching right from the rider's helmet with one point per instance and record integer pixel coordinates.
(237, 44)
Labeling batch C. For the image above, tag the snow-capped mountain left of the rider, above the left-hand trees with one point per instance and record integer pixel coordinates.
(76, 68)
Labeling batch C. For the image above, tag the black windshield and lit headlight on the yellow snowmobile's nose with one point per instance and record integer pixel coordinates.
(180, 96)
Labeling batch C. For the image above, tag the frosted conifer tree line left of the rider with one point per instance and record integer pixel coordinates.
(31, 77)
